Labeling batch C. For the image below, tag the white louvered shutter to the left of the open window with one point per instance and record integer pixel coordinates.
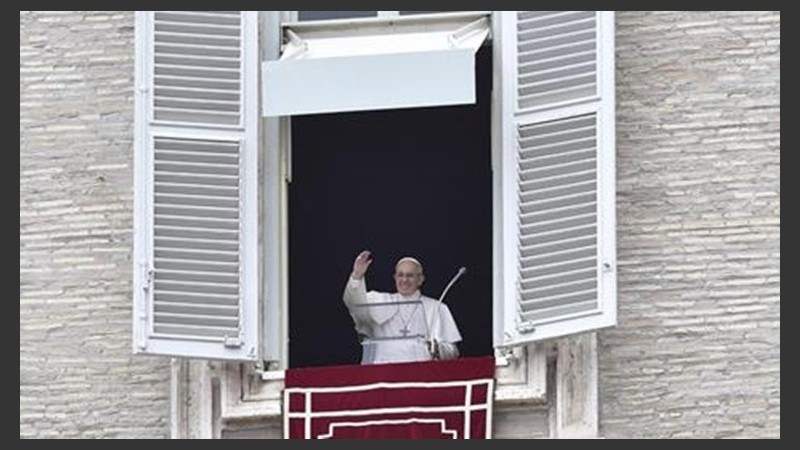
(195, 188)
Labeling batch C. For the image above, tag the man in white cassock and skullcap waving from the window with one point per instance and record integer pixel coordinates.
(403, 326)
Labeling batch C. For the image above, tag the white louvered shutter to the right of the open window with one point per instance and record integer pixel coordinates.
(559, 262)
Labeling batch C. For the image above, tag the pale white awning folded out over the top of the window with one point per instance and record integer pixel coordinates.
(373, 64)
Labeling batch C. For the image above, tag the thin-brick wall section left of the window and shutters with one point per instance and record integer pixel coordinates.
(77, 375)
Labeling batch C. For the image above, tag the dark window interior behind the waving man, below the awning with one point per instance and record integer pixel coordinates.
(397, 182)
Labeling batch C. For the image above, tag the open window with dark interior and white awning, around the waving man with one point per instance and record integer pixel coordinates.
(403, 173)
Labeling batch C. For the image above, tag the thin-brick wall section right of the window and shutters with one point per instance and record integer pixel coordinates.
(697, 350)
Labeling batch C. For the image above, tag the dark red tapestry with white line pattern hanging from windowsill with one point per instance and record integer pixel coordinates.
(419, 400)
